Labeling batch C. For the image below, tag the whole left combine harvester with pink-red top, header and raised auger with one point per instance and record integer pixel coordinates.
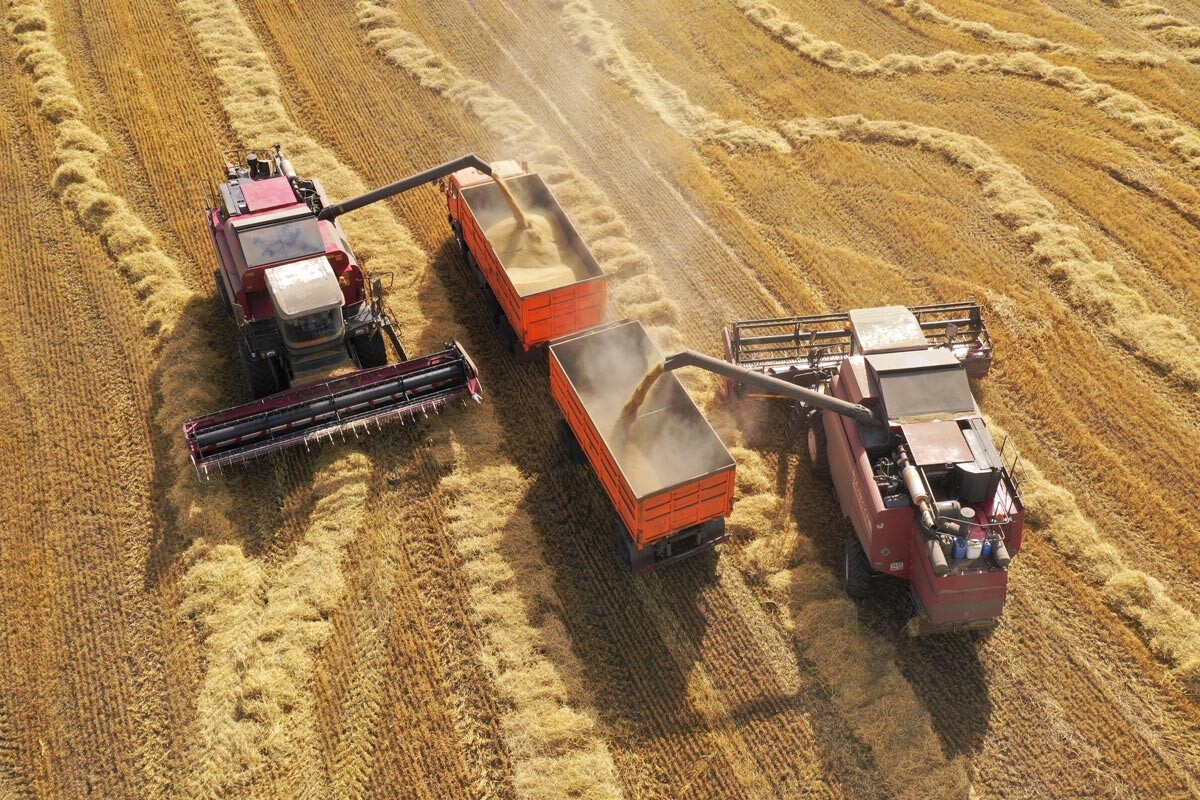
(305, 310)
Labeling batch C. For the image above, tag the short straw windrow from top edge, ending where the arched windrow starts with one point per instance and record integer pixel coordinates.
(597, 38)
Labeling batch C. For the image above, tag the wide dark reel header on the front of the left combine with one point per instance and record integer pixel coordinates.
(352, 404)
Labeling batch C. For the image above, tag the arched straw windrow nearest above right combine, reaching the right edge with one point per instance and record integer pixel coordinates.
(1091, 286)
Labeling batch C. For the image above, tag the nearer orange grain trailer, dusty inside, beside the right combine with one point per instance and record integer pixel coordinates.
(668, 474)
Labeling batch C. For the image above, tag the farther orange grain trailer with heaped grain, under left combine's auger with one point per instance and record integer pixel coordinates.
(529, 318)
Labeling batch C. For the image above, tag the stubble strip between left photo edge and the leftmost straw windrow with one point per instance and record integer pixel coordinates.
(91, 506)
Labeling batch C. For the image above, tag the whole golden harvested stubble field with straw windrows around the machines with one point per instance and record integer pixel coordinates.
(437, 612)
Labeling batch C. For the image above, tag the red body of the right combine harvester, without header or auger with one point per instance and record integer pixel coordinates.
(971, 593)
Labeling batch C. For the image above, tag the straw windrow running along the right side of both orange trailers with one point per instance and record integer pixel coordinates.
(758, 509)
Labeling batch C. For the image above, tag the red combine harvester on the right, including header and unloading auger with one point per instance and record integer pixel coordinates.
(893, 425)
